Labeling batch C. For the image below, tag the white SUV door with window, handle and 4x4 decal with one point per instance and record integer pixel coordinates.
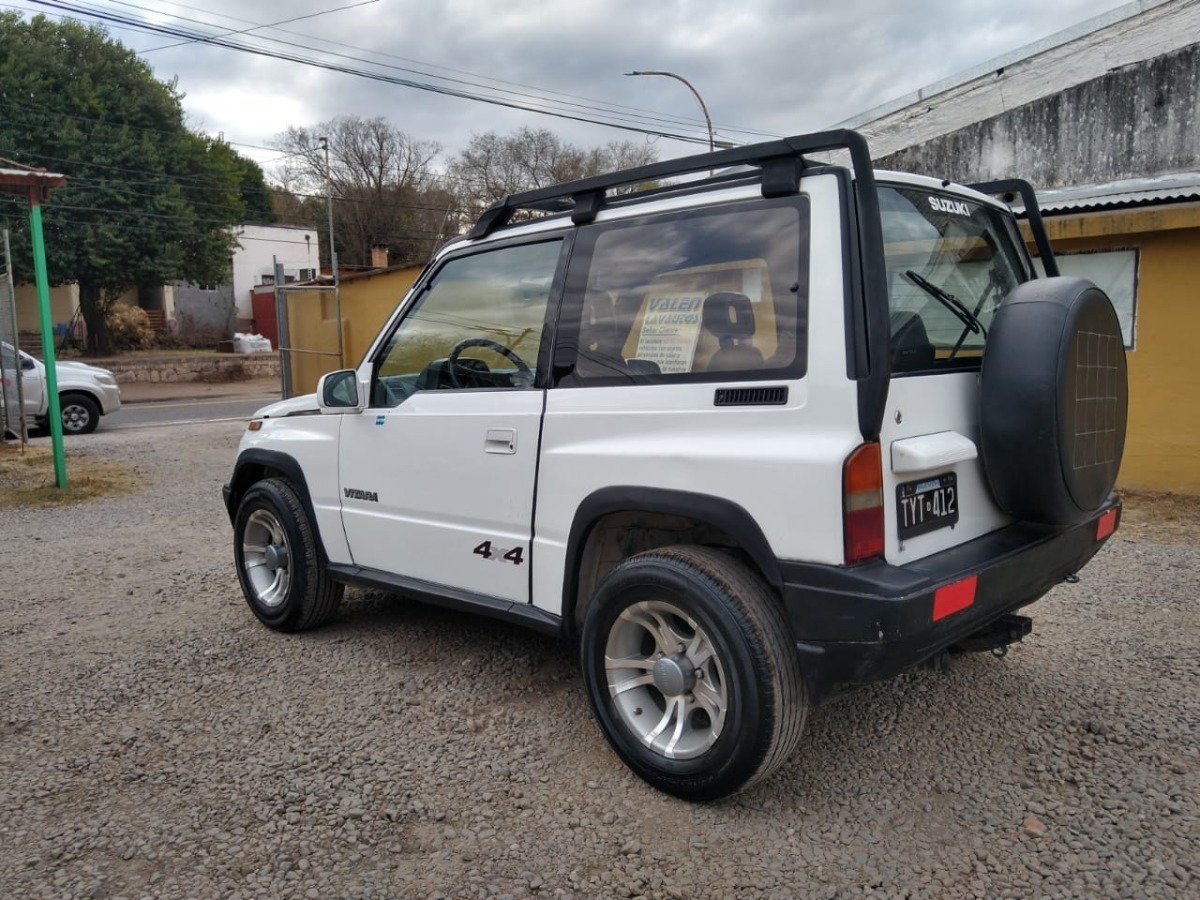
(439, 472)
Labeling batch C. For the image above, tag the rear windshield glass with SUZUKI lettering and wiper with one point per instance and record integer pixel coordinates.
(950, 263)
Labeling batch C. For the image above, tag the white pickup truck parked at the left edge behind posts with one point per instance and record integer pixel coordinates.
(86, 393)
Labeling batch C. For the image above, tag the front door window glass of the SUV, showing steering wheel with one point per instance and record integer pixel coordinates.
(478, 325)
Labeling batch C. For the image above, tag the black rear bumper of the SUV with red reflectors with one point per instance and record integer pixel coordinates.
(869, 622)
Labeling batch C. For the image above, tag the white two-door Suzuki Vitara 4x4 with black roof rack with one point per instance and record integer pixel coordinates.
(749, 439)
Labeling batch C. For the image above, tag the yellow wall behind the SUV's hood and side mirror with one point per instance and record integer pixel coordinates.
(368, 301)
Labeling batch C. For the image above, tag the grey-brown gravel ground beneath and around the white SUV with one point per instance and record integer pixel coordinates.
(157, 741)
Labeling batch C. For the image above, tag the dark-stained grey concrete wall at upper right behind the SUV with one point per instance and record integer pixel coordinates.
(1141, 121)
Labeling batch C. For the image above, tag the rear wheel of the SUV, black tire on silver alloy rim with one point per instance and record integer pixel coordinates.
(692, 673)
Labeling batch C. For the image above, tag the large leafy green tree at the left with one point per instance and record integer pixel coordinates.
(147, 202)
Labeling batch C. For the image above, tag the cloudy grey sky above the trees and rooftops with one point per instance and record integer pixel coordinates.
(763, 67)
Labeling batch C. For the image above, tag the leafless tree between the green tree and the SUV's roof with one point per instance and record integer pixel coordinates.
(386, 191)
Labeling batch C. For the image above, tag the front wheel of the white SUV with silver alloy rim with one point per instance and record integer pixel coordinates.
(280, 566)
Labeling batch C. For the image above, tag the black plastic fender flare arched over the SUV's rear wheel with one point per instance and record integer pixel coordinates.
(715, 512)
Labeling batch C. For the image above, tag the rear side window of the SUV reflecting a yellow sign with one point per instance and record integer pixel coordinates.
(717, 295)
